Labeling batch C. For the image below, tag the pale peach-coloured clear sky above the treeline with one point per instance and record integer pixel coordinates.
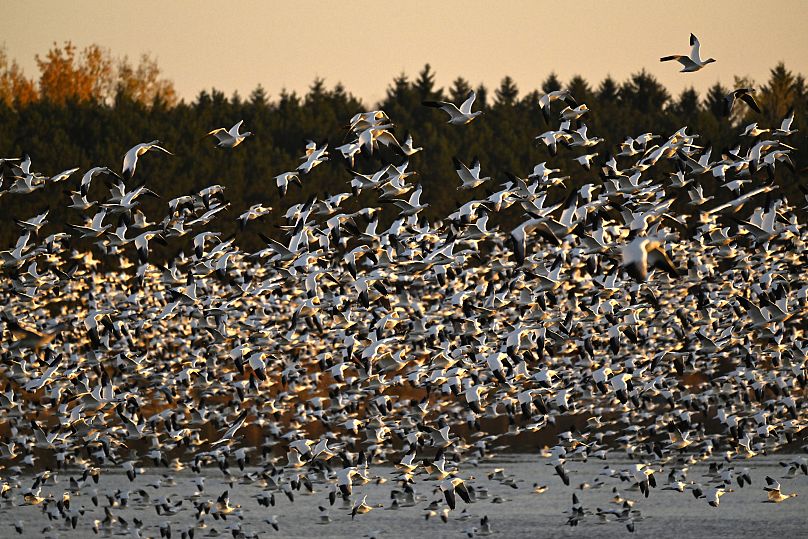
(236, 45)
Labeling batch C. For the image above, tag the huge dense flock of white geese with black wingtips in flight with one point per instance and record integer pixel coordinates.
(607, 322)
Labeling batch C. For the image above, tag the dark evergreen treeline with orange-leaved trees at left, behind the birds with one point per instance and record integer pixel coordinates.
(87, 109)
